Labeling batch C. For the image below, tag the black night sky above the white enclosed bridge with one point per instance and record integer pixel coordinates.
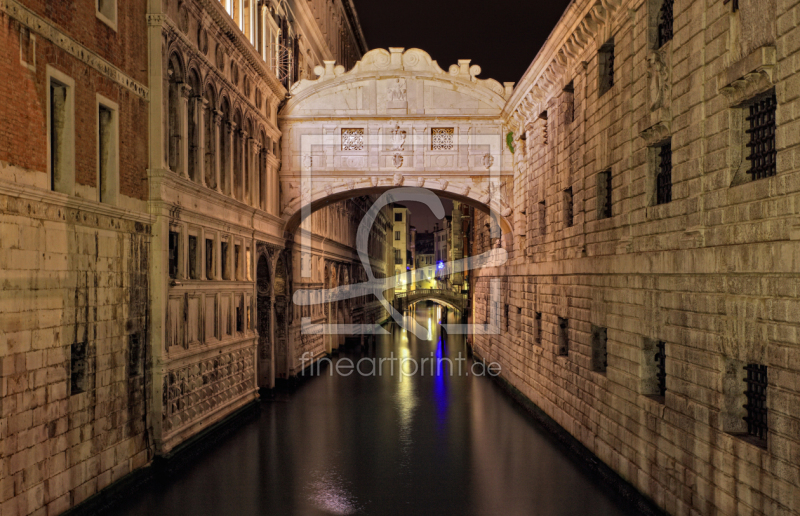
(501, 37)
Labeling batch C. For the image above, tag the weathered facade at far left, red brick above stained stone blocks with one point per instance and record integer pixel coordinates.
(74, 298)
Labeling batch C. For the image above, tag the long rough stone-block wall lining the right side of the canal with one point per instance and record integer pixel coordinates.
(712, 273)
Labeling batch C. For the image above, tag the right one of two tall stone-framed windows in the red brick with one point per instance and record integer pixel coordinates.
(107, 156)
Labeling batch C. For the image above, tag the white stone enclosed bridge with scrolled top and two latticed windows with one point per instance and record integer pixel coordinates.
(395, 119)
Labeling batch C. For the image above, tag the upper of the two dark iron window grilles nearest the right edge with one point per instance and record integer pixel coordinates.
(762, 138)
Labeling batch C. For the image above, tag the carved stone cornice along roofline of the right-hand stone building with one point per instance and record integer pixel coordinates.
(580, 24)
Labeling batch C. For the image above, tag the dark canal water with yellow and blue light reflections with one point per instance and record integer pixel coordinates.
(384, 445)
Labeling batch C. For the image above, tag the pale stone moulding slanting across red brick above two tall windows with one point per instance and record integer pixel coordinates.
(59, 37)
